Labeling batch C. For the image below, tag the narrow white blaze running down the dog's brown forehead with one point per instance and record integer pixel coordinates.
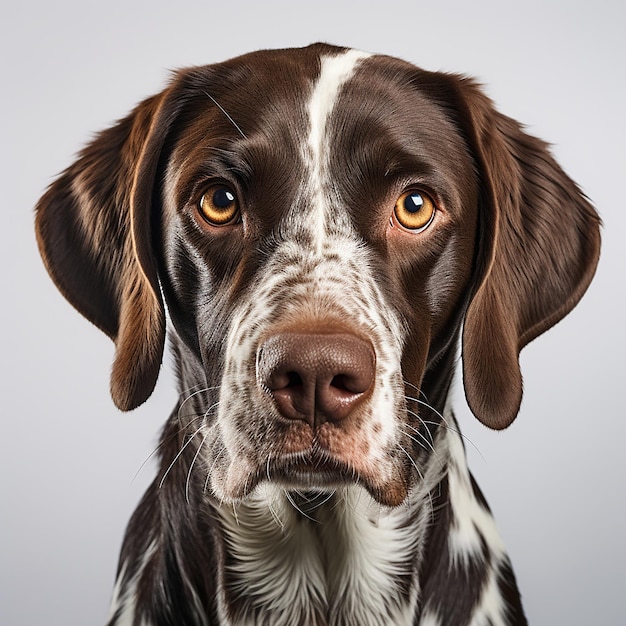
(335, 71)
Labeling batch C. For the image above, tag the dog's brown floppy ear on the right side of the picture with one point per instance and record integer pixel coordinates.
(538, 250)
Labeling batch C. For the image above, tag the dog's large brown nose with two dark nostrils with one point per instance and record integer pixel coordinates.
(316, 377)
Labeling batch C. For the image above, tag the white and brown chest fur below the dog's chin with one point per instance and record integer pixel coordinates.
(346, 560)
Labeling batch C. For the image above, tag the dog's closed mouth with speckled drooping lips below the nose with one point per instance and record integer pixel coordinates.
(293, 456)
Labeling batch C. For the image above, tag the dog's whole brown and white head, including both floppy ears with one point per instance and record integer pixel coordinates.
(320, 222)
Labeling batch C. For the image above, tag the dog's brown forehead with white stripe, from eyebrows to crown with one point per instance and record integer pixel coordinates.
(289, 119)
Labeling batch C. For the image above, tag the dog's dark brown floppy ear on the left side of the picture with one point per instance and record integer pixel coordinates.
(93, 231)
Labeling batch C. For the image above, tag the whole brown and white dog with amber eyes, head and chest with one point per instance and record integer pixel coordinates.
(324, 228)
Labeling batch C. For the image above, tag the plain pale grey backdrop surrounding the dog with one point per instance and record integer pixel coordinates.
(70, 472)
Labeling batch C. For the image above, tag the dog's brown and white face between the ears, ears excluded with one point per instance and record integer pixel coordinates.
(316, 244)
